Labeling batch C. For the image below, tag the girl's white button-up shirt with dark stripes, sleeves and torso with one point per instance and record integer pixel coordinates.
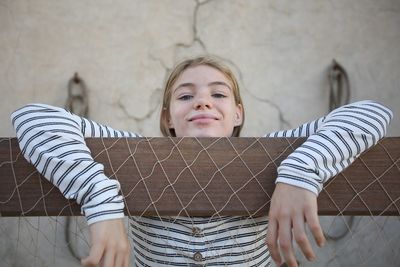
(52, 139)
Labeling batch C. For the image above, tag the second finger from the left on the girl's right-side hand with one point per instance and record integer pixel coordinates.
(285, 242)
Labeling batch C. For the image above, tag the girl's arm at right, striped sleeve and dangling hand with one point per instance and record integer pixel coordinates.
(334, 142)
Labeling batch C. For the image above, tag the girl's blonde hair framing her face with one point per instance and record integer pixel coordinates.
(175, 74)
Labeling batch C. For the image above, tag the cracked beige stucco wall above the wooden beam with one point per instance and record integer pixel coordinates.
(280, 50)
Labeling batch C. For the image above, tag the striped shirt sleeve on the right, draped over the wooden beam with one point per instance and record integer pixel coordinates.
(333, 143)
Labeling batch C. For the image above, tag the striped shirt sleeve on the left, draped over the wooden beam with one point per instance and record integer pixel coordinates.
(52, 139)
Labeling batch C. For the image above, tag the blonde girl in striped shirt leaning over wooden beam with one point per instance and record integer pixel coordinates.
(201, 99)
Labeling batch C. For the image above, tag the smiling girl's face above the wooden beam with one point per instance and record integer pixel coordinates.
(203, 104)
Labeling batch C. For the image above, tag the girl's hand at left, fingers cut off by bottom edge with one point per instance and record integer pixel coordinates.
(109, 245)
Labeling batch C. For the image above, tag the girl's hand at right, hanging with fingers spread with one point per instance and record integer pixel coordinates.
(291, 209)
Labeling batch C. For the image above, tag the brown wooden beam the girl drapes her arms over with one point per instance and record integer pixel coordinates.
(203, 177)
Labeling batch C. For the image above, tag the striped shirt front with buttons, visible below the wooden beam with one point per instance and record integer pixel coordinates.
(230, 241)
